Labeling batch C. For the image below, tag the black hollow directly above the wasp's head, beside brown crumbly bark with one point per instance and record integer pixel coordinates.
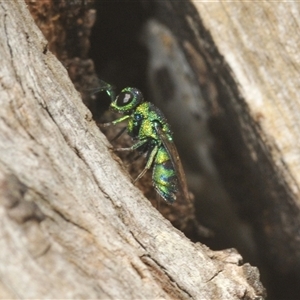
(119, 57)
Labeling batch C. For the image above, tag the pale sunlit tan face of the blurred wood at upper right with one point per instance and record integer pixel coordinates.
(260, 44)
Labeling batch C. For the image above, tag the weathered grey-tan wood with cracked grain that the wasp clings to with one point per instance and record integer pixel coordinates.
(72, 224)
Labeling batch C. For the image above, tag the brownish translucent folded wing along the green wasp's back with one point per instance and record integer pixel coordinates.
(171, 149)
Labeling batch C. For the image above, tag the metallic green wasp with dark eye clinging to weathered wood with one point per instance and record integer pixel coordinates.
(149, 128)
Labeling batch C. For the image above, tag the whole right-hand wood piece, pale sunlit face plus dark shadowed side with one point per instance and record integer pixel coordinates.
(253, 49)
